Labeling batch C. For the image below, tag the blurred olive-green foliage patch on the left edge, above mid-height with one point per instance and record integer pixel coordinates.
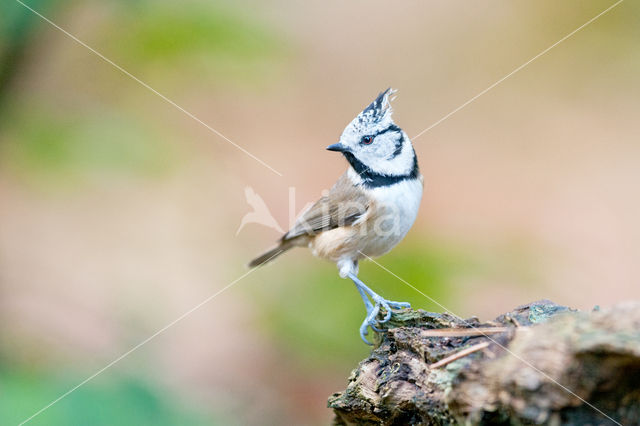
(43, 143)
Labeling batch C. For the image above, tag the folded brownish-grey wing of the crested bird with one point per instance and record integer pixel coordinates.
(344, 204)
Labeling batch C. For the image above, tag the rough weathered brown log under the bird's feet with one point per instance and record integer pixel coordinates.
(539, 364)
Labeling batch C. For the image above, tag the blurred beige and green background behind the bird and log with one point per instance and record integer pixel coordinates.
(118, 213)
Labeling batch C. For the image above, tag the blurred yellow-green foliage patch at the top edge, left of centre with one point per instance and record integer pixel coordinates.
(209, 42)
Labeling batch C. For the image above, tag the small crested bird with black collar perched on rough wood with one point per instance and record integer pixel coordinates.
(370, 208)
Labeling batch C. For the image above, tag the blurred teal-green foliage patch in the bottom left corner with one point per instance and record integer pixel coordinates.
(120, 401)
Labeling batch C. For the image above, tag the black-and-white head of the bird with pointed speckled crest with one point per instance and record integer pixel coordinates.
(374, 144)
